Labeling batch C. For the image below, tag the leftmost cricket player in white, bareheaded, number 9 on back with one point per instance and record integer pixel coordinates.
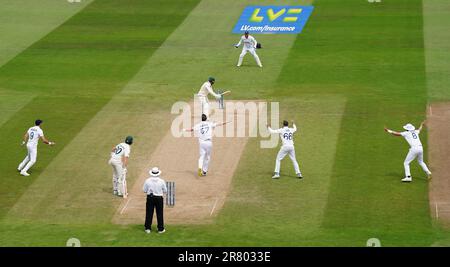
(31, 138)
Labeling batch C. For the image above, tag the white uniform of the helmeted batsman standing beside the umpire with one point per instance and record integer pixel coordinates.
(119, 173)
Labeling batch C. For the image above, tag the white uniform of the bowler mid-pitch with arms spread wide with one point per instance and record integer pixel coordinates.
(203, 131)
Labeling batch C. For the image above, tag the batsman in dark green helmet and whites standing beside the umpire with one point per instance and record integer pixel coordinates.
(119, 163)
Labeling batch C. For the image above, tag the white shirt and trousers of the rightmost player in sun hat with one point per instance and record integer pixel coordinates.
(415, 151)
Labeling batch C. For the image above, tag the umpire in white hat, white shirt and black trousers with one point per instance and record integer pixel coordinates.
(155, 188)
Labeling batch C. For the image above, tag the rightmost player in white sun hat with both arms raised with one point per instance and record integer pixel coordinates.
(411, 136)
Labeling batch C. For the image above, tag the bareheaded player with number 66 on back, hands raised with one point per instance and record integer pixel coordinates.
(287, 148)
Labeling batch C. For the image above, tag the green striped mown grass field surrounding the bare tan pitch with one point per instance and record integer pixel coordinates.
(107, 65)
